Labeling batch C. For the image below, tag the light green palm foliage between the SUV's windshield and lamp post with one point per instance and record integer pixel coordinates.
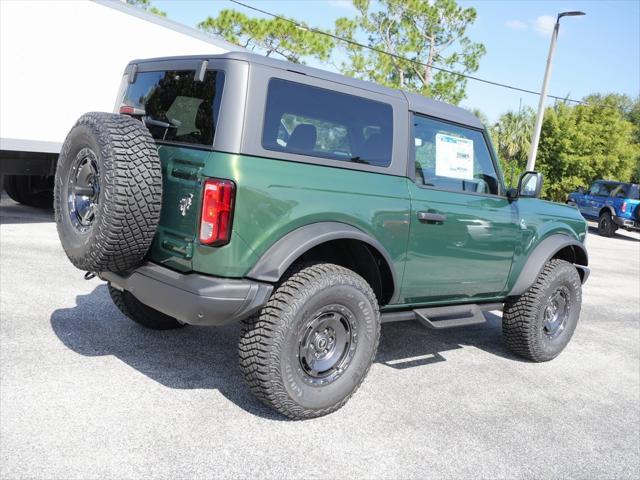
(512, 138)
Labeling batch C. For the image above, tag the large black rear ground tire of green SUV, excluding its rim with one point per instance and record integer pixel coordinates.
(268, 340)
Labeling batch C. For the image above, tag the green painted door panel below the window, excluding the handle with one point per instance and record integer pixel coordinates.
(468, 256)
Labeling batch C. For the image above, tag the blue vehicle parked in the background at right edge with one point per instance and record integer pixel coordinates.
(613, 204)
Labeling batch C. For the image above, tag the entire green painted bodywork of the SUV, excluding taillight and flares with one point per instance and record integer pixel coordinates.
(475, 255)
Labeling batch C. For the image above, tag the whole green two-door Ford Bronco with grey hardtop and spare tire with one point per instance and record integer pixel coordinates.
(311, 207)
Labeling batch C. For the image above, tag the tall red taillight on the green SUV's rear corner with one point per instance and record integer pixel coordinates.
(217, 212)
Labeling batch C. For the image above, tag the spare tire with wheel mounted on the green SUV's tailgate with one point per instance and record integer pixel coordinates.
(108, 192)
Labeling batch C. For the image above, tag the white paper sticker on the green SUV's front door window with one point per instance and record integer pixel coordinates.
(454, 157)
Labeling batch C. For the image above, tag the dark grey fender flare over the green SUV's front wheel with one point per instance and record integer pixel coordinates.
(544, 252)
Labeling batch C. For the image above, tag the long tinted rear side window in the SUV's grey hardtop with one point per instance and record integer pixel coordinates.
(318, 122)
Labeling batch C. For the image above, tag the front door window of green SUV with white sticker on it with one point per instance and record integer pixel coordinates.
(453, 157)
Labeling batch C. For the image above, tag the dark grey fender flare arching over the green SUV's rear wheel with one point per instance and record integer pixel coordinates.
(282, 254)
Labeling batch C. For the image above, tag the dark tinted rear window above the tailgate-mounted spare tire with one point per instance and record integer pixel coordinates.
(178, 108)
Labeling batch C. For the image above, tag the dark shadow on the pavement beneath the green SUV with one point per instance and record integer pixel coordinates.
(206, 358)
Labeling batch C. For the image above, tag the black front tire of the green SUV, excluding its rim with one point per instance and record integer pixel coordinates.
(523, 326)
